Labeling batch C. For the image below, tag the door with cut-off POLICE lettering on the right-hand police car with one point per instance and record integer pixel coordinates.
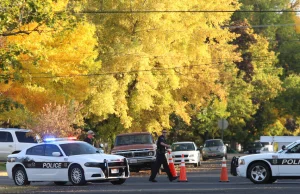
(290, 162)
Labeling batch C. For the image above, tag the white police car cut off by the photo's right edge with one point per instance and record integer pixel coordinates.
(268, 167)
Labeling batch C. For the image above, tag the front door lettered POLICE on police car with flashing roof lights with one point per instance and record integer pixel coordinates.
(54, 166)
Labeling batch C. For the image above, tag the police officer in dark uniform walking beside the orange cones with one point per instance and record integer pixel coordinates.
(161, 158)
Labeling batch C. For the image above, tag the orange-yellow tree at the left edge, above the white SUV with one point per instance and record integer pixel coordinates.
(50, 63)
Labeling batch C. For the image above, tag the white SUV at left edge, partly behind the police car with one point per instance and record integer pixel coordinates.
(13, 141)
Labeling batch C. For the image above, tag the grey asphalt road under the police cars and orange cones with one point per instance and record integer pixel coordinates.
(200, 180)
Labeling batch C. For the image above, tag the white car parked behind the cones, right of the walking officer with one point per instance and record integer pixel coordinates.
(189, 150)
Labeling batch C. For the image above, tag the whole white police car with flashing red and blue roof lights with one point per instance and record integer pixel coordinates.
(62, 161)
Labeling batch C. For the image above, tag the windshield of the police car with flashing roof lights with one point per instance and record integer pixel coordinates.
(71, 149)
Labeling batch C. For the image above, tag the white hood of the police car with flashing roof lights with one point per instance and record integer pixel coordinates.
(95, 158)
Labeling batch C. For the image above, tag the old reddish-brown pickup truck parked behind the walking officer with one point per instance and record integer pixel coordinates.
(138, 148)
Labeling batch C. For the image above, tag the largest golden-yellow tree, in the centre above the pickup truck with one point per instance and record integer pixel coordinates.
(157, 64)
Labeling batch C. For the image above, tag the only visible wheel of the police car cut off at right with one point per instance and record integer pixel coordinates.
(259, 173)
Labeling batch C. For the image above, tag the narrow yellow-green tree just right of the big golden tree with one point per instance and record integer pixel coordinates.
(259, 86)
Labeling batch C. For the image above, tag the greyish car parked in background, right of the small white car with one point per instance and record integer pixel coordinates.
(214, 148)
